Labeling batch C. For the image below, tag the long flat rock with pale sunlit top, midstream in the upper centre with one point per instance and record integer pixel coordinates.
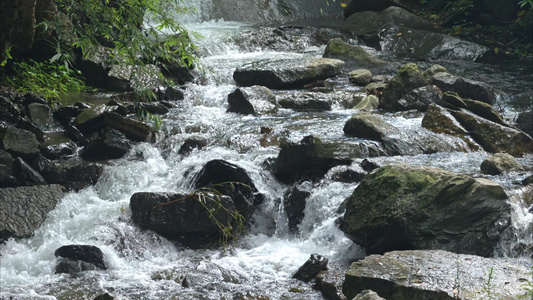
(287, 74)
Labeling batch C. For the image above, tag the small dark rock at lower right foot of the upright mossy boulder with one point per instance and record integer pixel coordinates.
(419, 99)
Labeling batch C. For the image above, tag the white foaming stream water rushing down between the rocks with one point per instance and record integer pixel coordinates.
(143, 265)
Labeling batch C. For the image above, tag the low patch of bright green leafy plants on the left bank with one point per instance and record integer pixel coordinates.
(46, 78)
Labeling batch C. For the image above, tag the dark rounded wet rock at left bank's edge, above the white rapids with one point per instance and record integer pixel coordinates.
(109, 144)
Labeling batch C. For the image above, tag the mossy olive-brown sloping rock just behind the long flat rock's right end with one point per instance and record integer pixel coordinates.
(339, 49)
